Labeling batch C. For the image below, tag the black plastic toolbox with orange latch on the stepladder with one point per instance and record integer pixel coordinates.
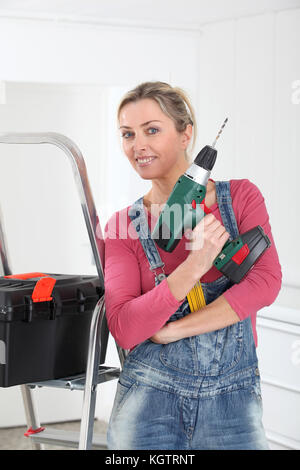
(44, 326)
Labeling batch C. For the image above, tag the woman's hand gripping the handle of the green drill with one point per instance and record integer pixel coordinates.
(205, 243)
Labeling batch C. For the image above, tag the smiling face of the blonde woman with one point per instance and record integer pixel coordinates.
(150, 140)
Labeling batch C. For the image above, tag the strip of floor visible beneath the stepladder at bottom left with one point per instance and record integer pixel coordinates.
(13, 438)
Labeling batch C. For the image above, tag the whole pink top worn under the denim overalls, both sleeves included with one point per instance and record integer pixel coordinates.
(136, 309)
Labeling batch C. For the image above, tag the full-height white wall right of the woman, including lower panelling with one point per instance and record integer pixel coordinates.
(249, 69)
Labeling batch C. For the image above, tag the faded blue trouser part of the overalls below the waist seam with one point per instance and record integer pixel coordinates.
(147, 417)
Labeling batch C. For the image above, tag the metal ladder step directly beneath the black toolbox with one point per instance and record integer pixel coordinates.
(77, 382)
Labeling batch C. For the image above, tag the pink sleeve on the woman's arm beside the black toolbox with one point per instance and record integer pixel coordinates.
(132, 317)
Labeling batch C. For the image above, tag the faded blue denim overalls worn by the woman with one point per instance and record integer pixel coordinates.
(201, 392)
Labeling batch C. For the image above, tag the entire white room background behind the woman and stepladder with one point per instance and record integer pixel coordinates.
(64, 67)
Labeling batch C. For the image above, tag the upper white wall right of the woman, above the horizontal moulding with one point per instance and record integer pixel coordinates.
(255, 64)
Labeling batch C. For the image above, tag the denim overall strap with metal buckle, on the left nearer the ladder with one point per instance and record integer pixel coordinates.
(138, 218)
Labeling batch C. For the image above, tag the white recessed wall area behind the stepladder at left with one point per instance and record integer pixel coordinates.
(41, 210)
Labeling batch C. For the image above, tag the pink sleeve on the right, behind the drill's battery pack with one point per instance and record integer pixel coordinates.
(262, 284)
